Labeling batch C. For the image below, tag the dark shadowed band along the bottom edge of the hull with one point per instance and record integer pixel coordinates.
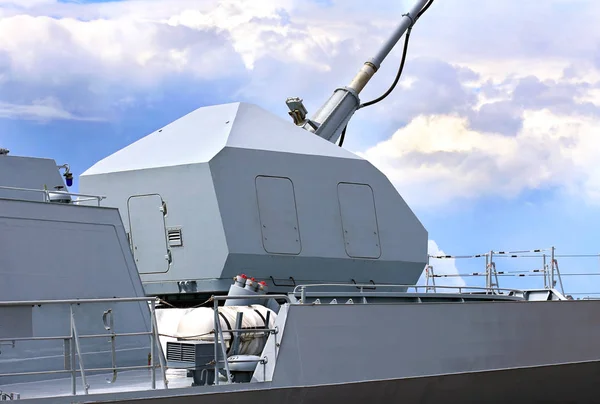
(572, 383)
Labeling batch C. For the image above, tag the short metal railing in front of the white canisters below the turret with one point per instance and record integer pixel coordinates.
(219, 341)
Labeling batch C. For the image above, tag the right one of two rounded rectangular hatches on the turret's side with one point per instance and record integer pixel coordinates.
(359, 220)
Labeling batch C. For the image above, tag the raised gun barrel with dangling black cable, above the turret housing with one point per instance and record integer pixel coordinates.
(333, 116)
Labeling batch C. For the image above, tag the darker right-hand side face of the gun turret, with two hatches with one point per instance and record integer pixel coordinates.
(352, 222)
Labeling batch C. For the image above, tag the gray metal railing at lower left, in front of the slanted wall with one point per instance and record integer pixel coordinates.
(72, 341)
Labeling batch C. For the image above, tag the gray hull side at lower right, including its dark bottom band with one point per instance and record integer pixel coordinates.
(423, 353)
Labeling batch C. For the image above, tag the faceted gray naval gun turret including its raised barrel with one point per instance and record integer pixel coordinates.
(233, 189)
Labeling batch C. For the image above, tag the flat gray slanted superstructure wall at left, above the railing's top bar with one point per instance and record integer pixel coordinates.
(58, 251)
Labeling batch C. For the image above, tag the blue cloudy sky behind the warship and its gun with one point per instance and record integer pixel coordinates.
(491, 135)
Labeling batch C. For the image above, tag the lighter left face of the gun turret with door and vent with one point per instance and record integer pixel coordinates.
(193, 226)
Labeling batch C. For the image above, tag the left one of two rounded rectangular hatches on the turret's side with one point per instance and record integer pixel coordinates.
(278, 215)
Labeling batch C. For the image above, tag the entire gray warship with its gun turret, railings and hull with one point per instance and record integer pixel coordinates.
(233, 255)
